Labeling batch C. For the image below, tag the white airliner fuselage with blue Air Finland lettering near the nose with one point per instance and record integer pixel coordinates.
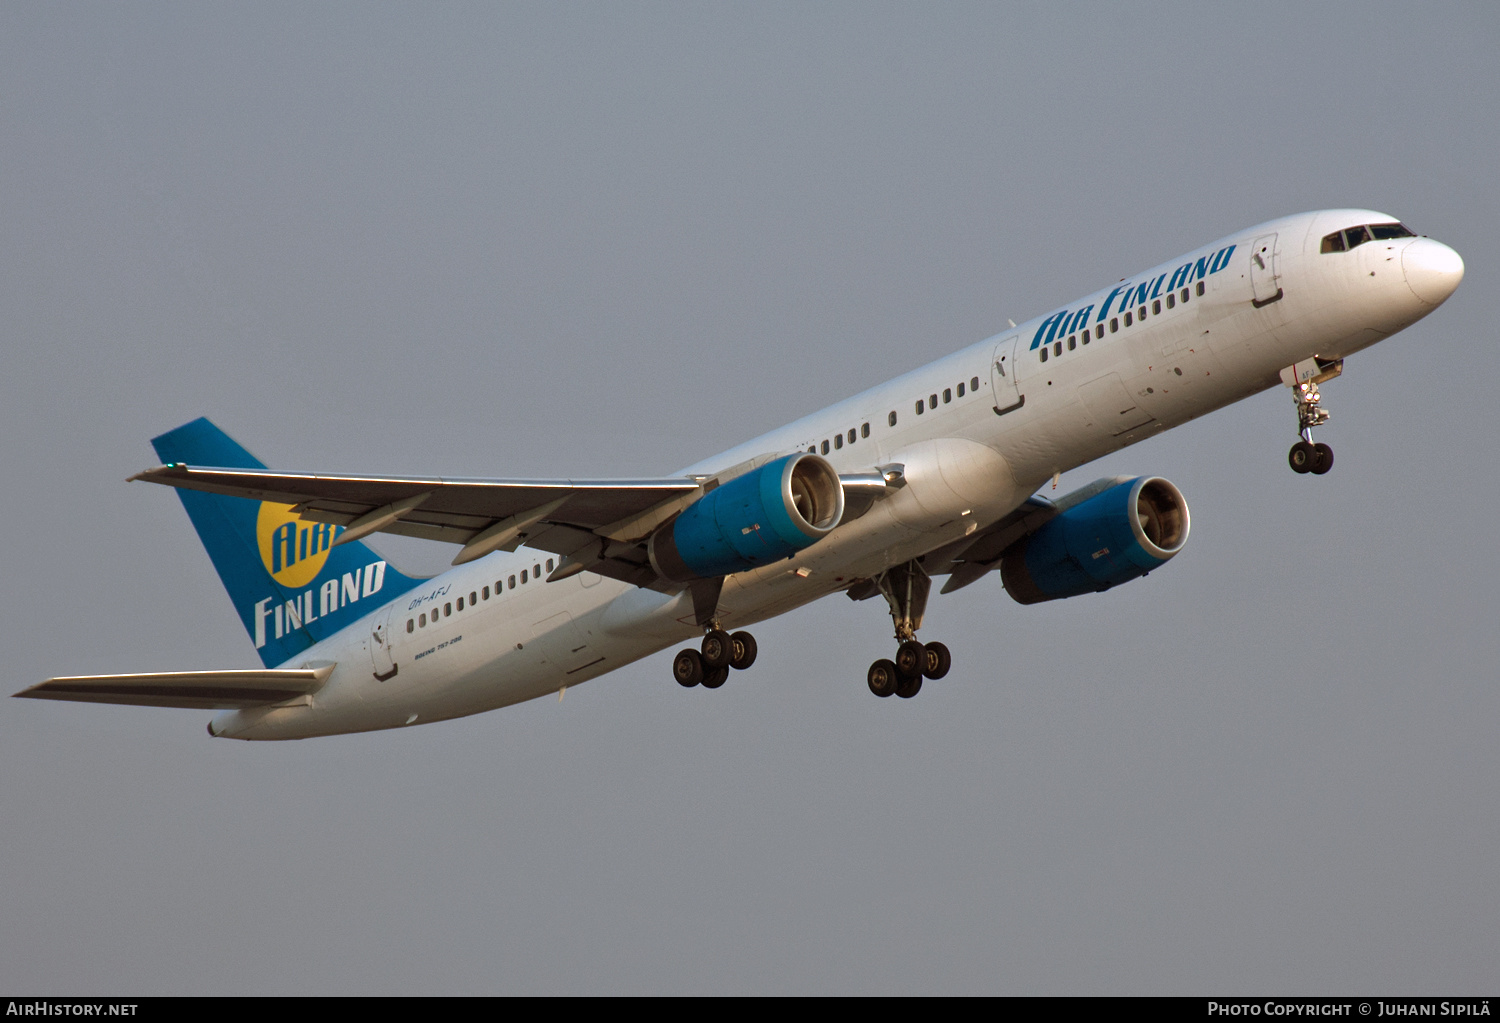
(968, 458)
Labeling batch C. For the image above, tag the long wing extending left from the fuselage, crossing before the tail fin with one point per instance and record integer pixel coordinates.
(598, 524)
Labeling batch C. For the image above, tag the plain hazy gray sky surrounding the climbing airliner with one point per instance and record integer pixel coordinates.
(613, 239)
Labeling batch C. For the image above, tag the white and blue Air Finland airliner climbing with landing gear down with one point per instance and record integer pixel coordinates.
(935, 473)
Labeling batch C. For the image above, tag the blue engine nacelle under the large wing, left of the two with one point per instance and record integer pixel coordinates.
(754, 520)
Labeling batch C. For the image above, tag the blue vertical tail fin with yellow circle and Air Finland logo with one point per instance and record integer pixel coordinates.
(289, 583)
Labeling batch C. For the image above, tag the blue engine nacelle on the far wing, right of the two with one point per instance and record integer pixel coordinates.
(1115, 536)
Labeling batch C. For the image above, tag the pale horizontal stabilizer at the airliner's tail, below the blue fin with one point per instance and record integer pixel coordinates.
(199, 691)
